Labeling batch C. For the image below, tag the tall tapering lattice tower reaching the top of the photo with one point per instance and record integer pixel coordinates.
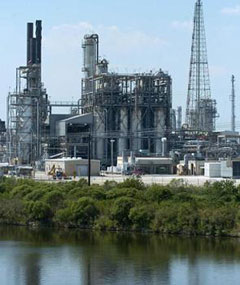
(201, 110)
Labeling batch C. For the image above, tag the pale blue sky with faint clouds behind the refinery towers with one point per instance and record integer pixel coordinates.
(135, 36)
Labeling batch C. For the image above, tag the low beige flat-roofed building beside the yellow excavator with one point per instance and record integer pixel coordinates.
(71, 166)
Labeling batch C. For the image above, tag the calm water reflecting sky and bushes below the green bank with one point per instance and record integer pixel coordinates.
(29, 256)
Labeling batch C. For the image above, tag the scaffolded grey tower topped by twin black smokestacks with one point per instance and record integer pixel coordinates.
(28, 105)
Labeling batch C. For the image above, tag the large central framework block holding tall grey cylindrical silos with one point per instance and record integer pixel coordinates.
(134, 110)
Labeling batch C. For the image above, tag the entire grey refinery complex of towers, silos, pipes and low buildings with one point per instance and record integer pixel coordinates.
(124, 123)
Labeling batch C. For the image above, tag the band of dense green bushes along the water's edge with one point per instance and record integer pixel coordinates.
(213, 209)
